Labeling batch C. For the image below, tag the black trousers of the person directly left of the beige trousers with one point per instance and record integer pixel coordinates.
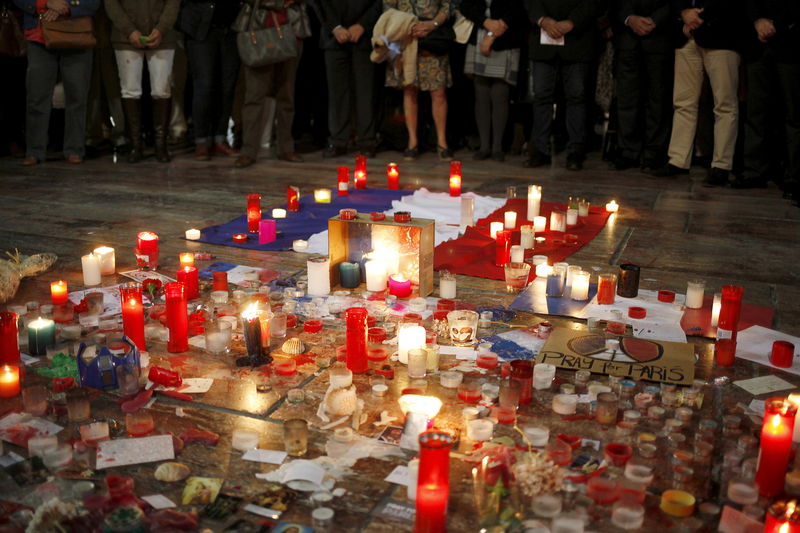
(644, 104)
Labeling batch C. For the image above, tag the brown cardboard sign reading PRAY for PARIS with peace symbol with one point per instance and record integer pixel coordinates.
(670, 362)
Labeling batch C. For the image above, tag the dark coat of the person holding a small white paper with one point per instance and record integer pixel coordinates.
(579, 42)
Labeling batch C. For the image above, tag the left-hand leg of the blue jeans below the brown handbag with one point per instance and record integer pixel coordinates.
(40, 80)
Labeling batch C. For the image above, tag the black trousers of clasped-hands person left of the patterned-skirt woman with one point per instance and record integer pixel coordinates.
(350, 77)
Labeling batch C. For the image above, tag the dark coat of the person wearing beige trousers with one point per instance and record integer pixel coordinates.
(724, 24)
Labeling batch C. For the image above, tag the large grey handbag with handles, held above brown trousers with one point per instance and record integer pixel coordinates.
(266, 46)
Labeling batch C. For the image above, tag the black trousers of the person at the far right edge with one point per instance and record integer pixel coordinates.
(770, 79)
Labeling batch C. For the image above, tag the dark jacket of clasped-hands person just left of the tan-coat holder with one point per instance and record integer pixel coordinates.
(345, 13)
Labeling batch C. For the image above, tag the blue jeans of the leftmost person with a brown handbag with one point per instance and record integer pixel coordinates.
(76, 73)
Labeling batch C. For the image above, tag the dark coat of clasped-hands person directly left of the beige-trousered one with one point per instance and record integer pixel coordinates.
(659, 40)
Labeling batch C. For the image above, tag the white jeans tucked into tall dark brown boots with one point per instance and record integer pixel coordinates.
(159, 63)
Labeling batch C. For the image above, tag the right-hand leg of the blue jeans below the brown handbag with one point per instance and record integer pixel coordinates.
(76, 73)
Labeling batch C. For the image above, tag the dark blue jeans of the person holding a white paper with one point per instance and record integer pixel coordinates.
(573, 79)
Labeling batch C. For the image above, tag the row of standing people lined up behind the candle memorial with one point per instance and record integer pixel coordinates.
(652, 67)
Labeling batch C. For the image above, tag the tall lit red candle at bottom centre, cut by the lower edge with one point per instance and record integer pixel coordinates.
(433, 482)
